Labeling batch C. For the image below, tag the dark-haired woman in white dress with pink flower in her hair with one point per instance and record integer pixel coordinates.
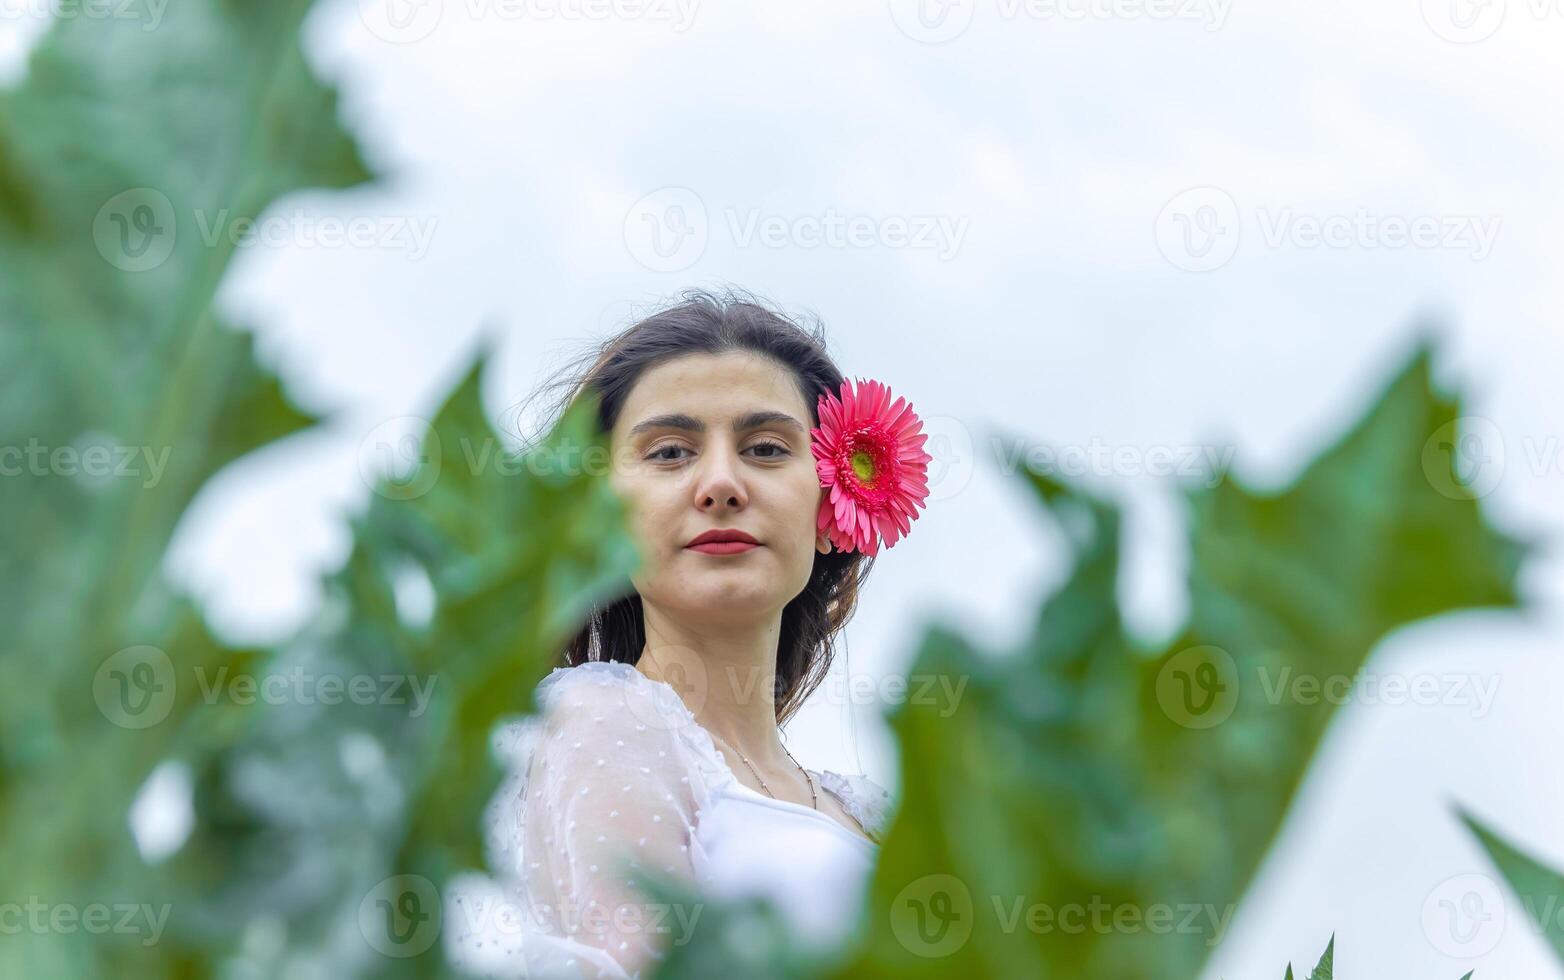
(659, 745)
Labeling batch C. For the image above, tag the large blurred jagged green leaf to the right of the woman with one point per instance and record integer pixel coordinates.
(1085, 778)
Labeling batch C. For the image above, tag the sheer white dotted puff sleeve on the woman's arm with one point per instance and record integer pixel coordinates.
(617, 781)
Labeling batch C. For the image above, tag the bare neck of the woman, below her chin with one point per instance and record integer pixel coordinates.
(726, 676)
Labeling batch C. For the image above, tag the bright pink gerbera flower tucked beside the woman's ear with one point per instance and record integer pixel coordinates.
(869, 451)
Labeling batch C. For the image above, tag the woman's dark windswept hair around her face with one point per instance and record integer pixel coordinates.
(706, 323)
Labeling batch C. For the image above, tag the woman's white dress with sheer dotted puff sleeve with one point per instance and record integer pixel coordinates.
(614, 774)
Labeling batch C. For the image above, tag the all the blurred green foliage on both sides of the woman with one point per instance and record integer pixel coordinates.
(1078, 768)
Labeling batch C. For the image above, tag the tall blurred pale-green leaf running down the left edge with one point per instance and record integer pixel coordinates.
(124, 395)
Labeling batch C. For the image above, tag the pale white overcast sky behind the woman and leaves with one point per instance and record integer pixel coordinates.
(1146, 224)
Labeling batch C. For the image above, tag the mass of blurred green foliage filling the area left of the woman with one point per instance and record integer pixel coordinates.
(117, 149)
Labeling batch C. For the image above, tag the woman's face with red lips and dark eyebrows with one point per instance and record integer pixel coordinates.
(719, 442)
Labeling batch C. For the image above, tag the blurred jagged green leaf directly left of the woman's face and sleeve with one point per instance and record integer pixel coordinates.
(514, 551)
